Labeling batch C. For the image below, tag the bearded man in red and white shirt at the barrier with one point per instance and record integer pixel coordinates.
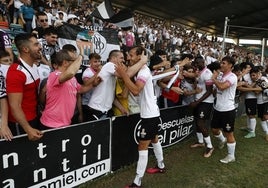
(22, 88)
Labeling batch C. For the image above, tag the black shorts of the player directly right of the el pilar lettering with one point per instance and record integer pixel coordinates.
(203, 110)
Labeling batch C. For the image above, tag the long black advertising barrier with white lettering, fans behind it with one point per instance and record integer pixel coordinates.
(70, 156)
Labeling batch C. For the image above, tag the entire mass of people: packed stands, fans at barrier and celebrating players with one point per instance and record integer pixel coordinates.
(45, 85)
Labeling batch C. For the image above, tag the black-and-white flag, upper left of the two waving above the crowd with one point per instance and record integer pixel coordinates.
(104, 11)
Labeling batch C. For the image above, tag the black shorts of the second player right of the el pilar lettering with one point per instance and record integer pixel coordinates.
(223, 120)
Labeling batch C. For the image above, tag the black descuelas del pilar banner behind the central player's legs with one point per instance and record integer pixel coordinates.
(177, 124)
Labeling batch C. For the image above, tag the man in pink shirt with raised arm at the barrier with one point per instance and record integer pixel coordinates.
(60, 105)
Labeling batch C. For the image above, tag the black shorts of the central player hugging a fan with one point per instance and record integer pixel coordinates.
(149, 128)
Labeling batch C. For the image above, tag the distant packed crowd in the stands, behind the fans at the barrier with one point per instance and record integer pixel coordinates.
(154, 33)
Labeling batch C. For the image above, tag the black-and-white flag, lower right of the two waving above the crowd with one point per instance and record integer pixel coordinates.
(124, 19)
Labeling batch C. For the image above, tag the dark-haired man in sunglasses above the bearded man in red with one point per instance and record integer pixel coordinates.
(42, 24)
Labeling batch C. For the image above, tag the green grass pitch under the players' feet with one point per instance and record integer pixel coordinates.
(187, 167)
